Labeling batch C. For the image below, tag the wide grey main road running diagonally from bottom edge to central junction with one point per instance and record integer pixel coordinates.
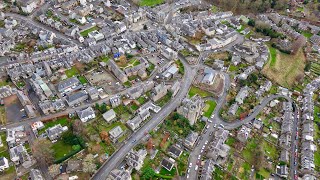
(118, 156)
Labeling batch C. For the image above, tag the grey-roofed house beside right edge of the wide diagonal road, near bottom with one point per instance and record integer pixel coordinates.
(135, 158)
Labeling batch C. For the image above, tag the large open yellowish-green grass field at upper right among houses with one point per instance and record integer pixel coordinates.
(287, 68)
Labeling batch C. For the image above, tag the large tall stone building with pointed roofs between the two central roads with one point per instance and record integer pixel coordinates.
(191, 108)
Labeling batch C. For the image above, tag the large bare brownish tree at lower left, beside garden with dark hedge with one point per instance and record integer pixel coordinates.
(42, 150)
